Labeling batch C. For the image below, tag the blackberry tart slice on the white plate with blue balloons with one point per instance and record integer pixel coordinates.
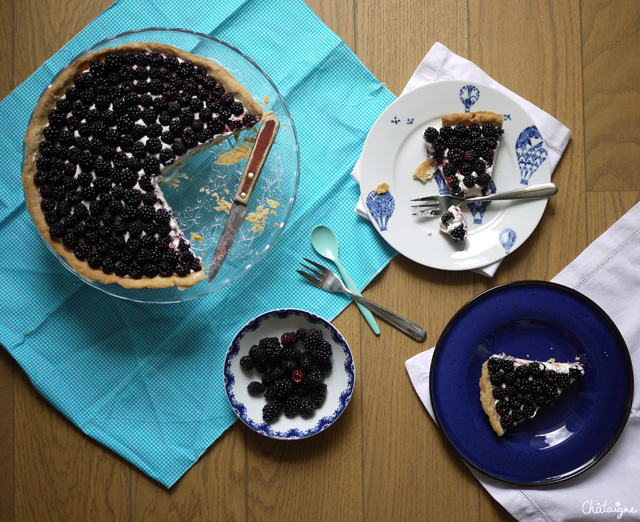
(463, 150)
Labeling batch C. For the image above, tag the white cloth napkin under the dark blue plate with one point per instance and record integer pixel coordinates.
(608, 272)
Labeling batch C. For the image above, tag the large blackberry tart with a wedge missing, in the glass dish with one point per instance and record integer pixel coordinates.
(190, 271)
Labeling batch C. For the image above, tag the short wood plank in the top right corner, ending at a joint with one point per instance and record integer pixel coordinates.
(611, 36)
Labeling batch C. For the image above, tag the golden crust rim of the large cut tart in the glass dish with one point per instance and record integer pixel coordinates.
(39, 120)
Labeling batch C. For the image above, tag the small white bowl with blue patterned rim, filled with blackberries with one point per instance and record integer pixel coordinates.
(289, 374)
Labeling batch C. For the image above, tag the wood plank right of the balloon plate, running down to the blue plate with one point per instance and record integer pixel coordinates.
(526, 67)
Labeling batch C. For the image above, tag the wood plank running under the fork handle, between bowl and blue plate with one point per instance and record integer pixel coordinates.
(410, 472)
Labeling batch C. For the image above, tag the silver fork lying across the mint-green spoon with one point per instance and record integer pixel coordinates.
(330, 282)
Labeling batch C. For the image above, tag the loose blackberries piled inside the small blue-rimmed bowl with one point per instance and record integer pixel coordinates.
(293, 370)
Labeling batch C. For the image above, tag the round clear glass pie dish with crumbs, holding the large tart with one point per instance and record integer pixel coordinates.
(201, 191)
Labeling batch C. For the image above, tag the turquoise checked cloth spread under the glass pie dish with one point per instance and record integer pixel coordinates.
(147, 380)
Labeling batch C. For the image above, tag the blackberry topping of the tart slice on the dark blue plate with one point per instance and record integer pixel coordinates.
(520, 390)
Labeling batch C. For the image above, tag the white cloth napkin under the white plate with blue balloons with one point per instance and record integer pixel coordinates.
(441, 64)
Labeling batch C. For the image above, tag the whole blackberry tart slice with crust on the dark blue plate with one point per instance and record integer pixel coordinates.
(512, 390)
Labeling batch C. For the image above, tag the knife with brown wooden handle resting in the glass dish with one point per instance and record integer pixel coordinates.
(266, 136)
